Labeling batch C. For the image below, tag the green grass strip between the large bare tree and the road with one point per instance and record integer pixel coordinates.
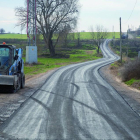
(45, 64)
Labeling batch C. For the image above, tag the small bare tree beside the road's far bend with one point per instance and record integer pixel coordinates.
(98, 36)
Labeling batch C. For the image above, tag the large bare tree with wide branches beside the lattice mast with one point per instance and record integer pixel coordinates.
(52, 17)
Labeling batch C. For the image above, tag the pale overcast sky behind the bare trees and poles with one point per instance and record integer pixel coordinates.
(92, 13)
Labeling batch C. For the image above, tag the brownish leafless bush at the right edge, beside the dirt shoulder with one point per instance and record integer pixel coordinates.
(130, 70)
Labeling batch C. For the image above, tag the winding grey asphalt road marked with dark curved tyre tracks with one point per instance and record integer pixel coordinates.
(75, 103)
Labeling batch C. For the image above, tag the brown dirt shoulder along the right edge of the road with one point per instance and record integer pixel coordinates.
(130, 95)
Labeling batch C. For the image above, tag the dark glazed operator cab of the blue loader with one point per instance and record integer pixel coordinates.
(7, 58)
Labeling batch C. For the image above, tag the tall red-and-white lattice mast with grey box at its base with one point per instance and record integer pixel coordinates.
(31, 49)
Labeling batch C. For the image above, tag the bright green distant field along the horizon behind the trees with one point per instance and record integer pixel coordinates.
(83, 36)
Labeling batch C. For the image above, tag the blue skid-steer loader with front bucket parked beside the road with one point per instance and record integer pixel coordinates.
(12, 76)
